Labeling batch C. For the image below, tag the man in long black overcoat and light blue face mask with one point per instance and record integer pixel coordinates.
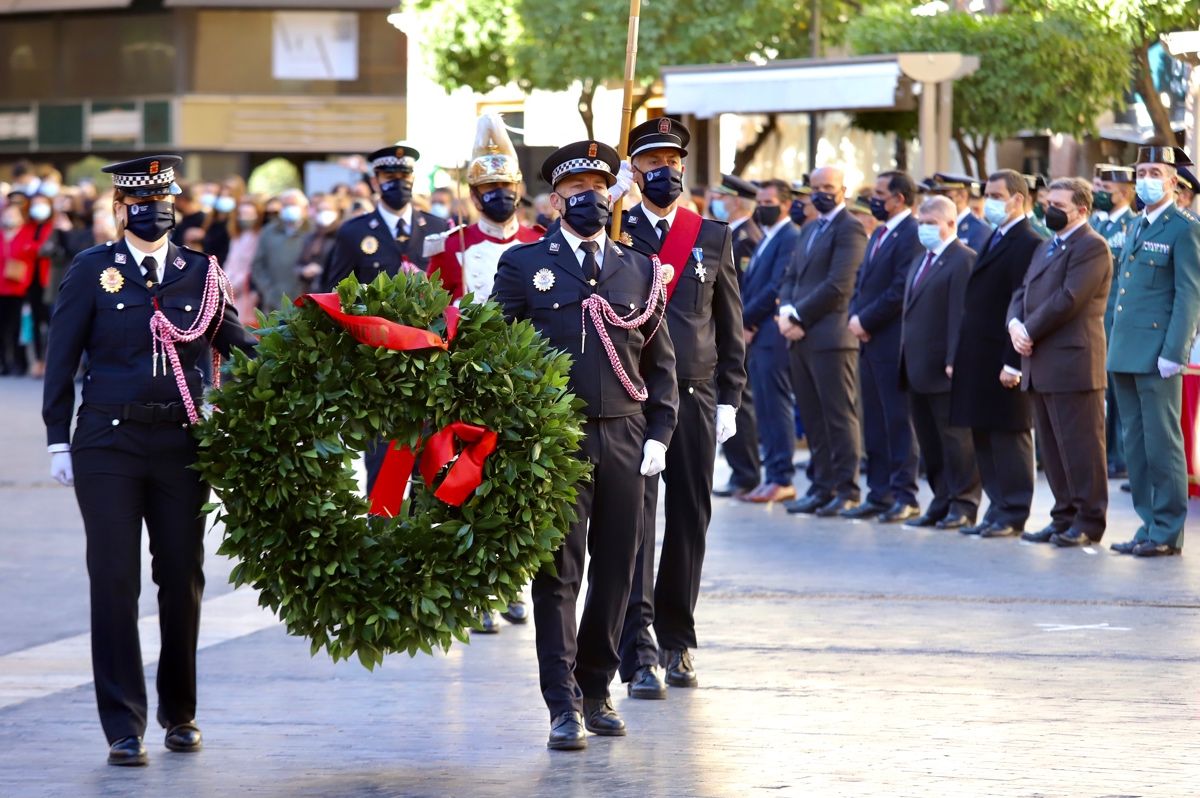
(985, 393)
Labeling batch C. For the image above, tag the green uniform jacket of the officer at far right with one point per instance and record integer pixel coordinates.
(1159, 295)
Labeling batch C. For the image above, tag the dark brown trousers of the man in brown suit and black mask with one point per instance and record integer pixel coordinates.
(1071, 427)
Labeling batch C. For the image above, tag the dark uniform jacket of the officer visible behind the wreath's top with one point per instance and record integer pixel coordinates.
(365, 248)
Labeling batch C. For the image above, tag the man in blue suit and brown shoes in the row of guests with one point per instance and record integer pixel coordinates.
(767, 352)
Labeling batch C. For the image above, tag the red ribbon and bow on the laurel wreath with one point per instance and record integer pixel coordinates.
(467, 473)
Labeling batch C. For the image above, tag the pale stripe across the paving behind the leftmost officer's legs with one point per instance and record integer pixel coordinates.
(65, 664)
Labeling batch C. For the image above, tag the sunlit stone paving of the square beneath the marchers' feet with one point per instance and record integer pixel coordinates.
(838, 659)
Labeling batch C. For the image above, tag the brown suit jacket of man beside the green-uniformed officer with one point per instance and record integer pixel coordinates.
(1061, 304)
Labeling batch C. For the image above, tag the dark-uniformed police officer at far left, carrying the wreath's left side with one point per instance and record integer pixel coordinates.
(133, 453)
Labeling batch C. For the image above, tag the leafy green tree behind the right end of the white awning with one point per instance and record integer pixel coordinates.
(1039, 70)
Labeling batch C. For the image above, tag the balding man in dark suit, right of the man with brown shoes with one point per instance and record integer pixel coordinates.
(814, 301)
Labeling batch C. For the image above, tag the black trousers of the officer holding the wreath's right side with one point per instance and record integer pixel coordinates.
(575, 664)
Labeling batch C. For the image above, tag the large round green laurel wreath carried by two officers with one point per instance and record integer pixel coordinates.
(279, 455)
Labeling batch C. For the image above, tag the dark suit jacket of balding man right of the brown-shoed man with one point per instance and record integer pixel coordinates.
(819, 281)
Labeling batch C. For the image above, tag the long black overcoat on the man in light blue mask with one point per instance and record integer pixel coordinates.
(979, 399)
